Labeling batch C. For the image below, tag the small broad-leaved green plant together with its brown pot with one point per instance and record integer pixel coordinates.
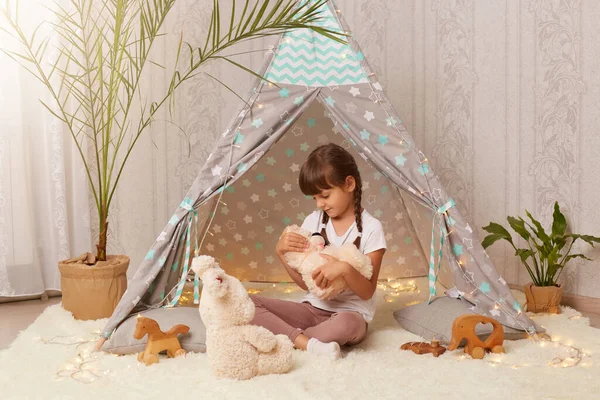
(544, 257)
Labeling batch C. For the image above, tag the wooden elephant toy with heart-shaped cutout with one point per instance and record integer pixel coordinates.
(464, 328)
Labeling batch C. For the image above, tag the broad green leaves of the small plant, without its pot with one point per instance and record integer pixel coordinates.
(544, 256)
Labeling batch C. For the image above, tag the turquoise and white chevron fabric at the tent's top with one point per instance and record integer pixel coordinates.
(308, 58)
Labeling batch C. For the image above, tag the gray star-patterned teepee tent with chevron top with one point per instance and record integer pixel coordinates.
(247, 191)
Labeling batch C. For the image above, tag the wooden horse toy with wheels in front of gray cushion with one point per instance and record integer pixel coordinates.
(158, 340)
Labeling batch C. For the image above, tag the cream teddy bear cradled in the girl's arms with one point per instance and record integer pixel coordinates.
(305, 263)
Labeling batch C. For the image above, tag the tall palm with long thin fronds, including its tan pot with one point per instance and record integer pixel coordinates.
(93, 79)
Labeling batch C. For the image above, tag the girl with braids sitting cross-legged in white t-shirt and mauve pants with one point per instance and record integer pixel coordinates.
(331, 176)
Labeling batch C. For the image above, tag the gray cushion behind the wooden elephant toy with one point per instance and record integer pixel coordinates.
(427, 320)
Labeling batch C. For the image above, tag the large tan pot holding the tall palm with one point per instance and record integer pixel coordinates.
(93, 291)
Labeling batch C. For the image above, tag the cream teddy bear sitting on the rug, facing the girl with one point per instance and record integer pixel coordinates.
(235, 349)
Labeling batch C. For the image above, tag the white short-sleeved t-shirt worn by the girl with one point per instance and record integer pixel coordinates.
(372, 239)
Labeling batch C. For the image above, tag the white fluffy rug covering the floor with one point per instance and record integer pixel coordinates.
(34, 369)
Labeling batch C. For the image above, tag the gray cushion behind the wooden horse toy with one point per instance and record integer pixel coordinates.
(122, 341)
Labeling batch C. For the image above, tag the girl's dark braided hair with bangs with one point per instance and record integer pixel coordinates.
(326, 167)
